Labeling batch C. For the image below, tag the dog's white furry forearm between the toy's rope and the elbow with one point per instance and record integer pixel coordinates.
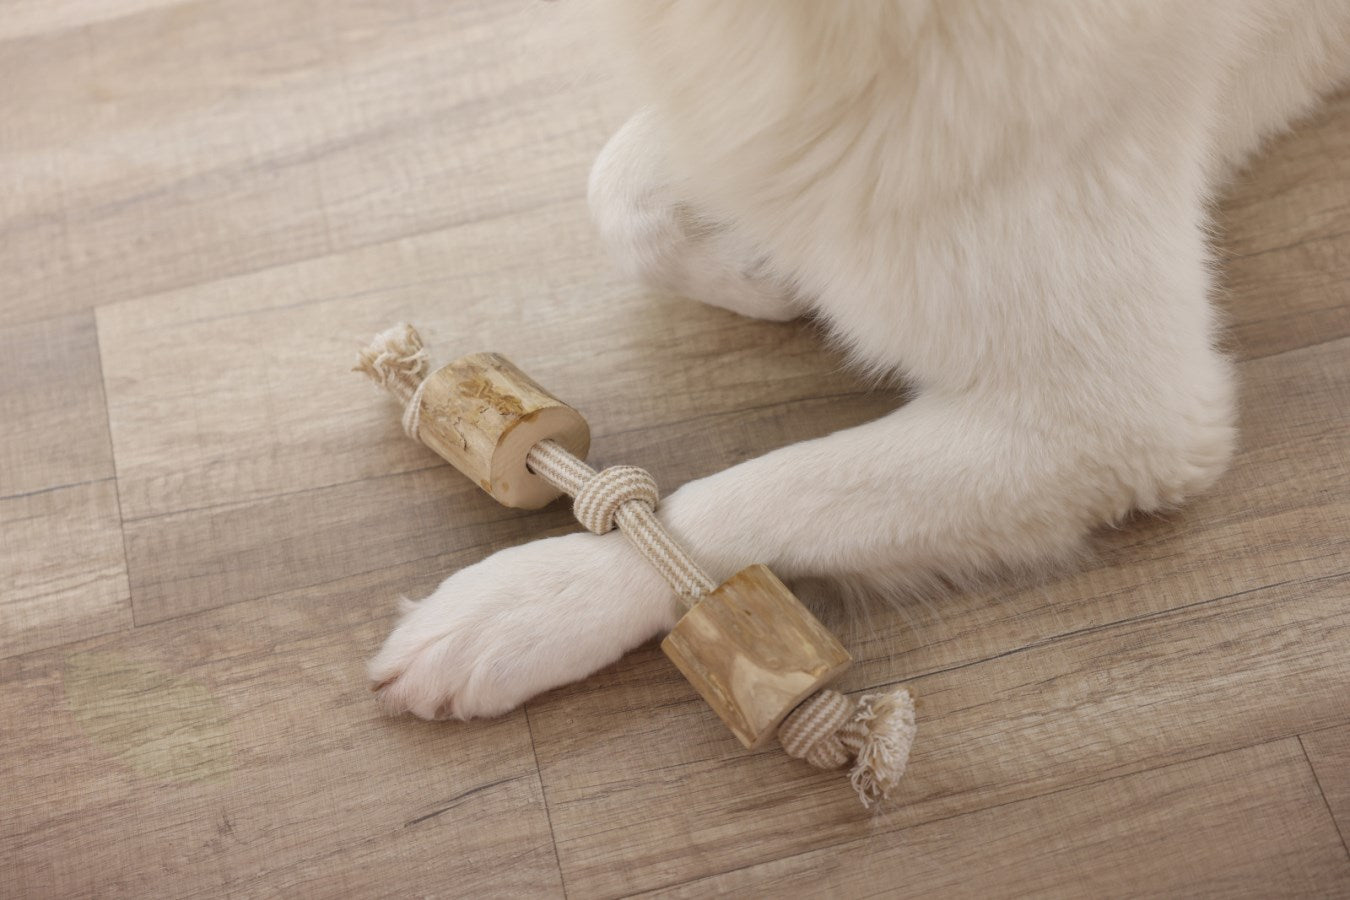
(954, 485)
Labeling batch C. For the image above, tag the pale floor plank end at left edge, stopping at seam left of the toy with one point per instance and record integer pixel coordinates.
(63, 569)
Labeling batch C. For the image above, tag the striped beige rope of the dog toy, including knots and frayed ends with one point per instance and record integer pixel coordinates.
(828, 731)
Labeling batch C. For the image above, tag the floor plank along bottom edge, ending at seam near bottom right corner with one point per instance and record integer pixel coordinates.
(1201, 829)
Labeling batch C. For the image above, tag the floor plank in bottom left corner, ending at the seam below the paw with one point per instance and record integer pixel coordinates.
(241, 755)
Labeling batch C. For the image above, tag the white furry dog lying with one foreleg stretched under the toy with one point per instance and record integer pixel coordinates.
(1005, 203)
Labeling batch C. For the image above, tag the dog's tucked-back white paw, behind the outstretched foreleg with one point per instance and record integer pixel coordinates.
(661, 242)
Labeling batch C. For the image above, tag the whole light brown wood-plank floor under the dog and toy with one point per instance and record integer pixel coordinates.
(205, 519)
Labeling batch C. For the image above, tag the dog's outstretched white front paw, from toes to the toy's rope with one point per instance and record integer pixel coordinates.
(520, 623)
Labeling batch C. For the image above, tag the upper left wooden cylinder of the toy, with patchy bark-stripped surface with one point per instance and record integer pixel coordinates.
(484, 415)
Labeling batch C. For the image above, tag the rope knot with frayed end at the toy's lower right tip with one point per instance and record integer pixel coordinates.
(830, 732)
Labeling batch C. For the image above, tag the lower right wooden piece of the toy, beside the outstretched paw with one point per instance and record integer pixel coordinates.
(755, 654)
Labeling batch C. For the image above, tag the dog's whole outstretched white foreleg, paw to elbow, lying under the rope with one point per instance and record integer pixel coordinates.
(947, 485)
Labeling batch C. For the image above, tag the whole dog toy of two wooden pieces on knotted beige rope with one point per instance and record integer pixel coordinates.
(749, 647)
